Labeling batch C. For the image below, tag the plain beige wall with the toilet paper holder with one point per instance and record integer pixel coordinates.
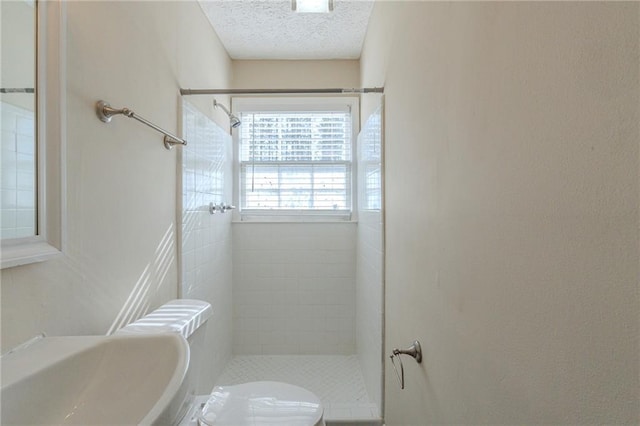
(512, 209)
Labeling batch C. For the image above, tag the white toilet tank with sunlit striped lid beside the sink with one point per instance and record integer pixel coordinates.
(187, 317)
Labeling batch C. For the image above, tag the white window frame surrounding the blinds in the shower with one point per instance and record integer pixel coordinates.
(349, 104)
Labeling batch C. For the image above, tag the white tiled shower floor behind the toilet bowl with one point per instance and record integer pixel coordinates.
(335, 379)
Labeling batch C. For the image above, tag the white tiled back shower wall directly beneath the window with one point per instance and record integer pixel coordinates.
(294, 288)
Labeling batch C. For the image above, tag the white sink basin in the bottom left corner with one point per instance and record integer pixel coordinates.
(116, 380)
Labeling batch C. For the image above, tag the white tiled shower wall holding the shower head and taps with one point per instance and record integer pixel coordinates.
(206, 239)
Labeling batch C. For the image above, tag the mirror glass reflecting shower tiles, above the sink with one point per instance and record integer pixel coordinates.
(18, 114)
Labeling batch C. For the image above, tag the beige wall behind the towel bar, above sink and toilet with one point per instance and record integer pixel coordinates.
(121, 182)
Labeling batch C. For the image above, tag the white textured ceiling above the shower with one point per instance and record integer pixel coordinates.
(269, 29)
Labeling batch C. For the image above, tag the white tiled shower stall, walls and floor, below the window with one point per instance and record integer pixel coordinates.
(293, 302)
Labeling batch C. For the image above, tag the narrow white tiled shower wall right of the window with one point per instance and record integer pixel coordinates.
(369, 270)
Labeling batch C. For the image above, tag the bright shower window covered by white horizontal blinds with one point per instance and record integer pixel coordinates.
(295, 157)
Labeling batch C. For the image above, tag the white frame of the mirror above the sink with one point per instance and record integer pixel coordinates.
(51, 134)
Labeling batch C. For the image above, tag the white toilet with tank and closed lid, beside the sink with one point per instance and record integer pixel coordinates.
(264, 403)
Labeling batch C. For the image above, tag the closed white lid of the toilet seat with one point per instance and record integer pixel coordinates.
(262, 404)
